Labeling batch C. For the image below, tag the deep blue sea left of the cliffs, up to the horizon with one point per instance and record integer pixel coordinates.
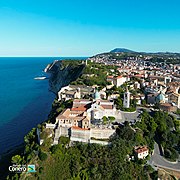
(24, 101)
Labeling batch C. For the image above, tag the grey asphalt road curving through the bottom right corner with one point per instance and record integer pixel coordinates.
(159, 161)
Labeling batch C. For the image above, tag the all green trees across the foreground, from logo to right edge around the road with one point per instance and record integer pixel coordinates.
(93, 161)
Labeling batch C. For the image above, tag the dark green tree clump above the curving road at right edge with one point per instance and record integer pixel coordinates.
(165, 129)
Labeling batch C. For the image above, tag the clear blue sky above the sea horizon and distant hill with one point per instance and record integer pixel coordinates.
(85, 28)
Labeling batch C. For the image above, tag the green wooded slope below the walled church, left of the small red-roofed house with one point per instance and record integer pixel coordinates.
(82, 161)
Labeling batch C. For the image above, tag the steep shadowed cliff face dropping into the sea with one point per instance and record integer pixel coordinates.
(62, 75)
